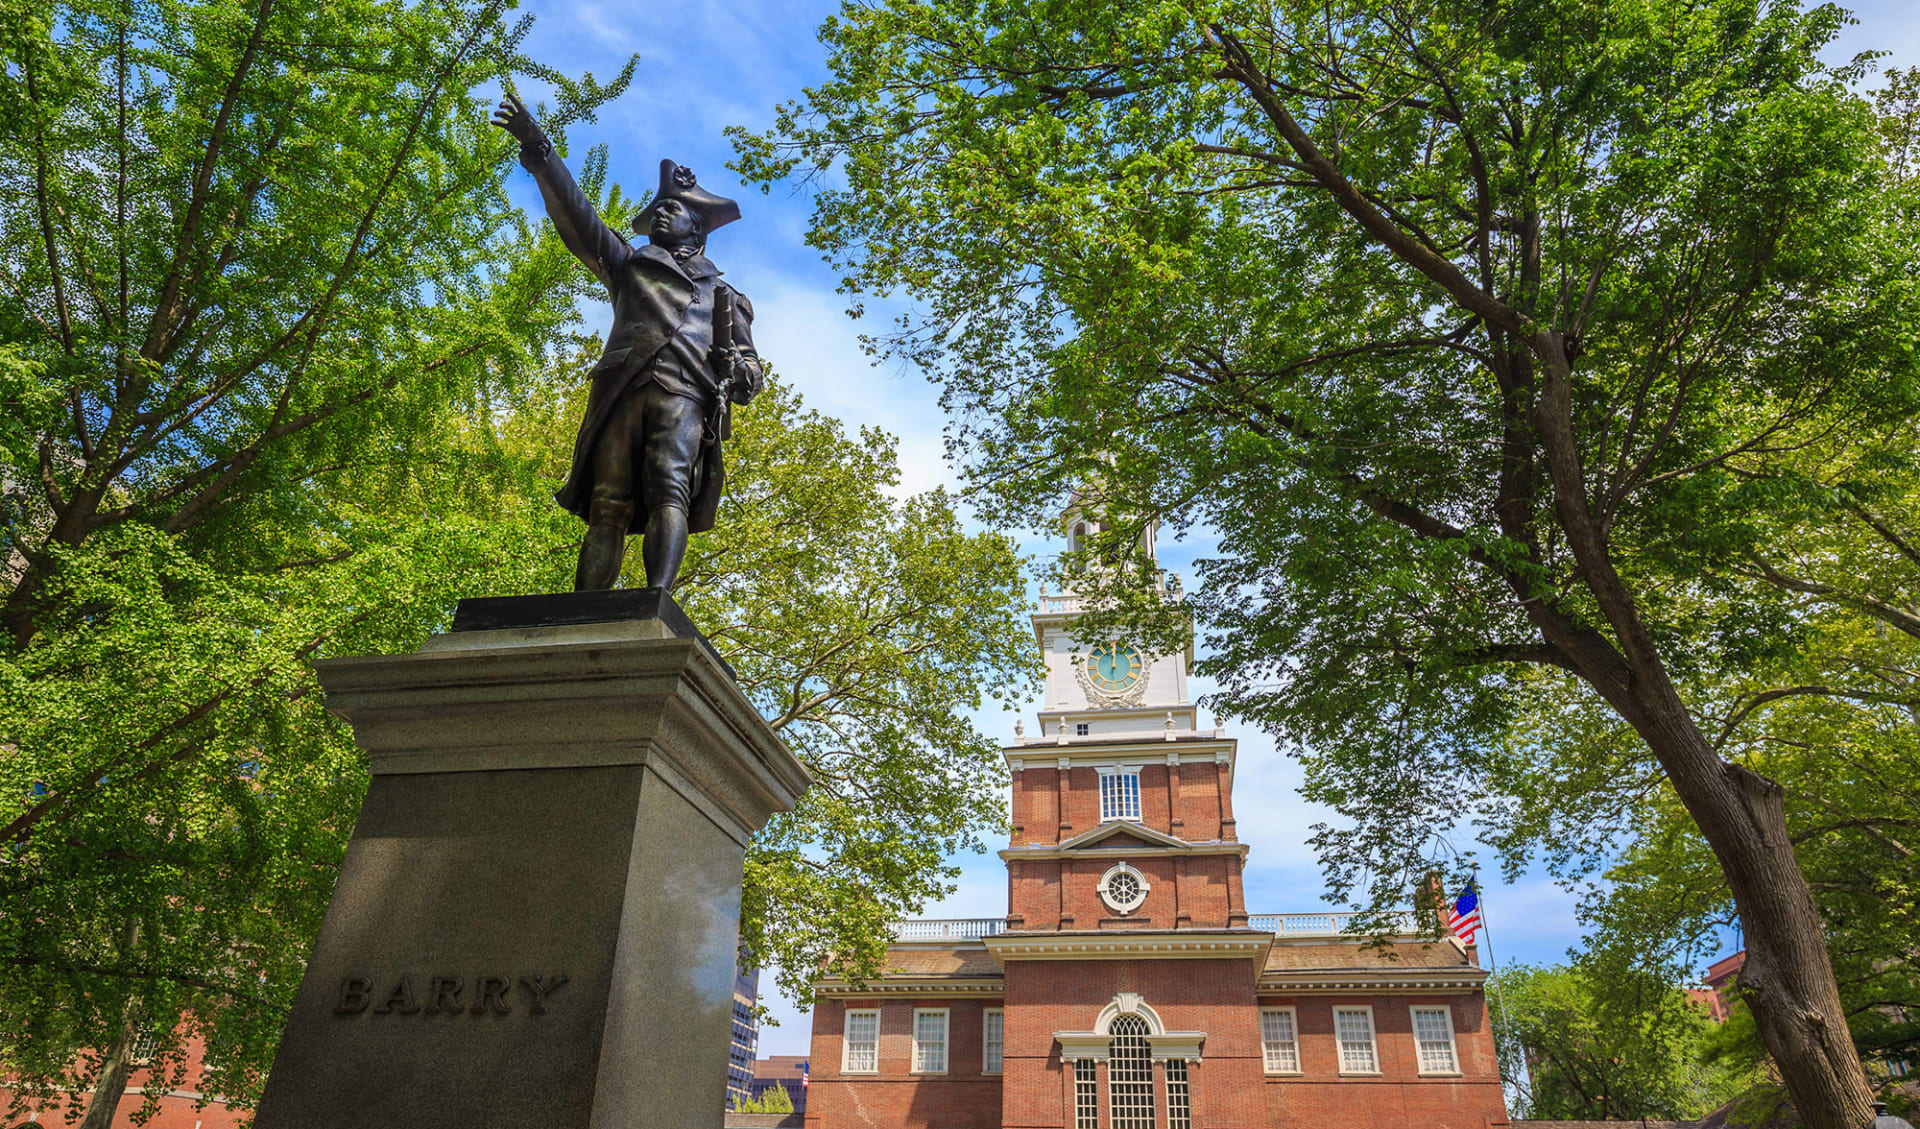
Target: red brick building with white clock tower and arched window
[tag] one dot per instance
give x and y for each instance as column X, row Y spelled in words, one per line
column 1128, row 986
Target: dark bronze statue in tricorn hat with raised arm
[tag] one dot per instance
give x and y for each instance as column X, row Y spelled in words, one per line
column 681, row 354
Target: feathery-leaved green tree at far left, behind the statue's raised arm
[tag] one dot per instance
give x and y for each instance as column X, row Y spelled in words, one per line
column 260, row 266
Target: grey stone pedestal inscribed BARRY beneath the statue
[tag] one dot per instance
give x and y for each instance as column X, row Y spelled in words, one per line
column 539, row 913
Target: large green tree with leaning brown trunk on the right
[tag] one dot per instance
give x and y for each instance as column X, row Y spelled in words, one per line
column 1483, row 335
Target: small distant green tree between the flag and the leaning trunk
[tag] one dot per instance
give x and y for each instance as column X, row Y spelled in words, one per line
column 1608, row 1045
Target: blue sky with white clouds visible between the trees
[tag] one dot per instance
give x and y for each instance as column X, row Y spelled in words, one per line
column 729, row 62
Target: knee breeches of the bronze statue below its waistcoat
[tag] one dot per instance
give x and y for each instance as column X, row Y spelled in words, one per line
column 648, row 450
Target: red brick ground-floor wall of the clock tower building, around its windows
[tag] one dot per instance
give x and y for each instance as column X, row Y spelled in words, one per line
column 1230, row 1088
